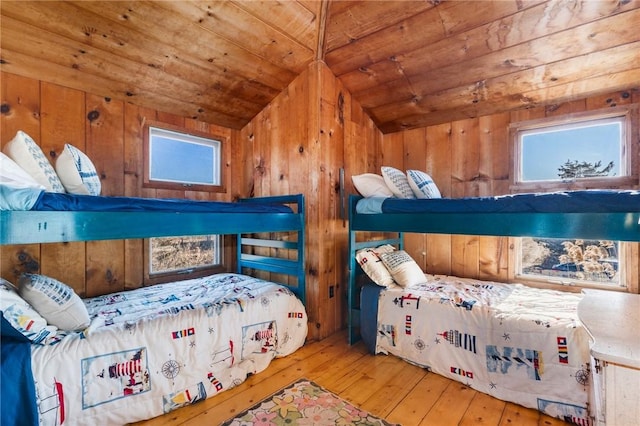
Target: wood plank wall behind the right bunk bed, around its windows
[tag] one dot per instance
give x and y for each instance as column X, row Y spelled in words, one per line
column 471, row 158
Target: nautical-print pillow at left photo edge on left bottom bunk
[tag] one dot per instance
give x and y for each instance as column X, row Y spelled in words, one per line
column 22, row 316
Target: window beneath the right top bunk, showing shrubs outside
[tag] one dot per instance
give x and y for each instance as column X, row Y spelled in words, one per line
column 584, row 263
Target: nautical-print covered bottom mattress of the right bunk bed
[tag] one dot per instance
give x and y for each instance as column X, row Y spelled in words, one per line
column 513, row 342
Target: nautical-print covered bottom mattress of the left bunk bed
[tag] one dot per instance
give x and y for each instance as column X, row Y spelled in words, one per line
column 155, row 349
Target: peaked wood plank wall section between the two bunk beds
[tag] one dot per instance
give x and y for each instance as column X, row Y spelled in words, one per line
column 298, row 145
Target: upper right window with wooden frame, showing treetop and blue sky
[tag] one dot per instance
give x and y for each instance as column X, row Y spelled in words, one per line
column 587, row 150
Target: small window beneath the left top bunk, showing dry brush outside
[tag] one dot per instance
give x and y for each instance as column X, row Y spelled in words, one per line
column 195, row 255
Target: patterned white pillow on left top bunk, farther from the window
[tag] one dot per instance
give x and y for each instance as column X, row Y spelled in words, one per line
column 28, row 155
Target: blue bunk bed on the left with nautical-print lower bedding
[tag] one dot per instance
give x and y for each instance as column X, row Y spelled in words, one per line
column 151, row 350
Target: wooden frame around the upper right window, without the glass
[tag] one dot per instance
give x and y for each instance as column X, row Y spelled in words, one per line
column 628, row 152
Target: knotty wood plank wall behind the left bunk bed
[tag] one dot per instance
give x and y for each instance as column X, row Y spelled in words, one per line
column 112, row 137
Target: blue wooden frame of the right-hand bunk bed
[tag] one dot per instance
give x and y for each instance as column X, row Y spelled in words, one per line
column 610, row 226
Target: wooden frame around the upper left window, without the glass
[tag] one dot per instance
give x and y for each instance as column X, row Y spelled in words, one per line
column 147, row 182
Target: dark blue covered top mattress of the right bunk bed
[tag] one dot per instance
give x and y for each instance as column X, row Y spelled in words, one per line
column 587, row 201
